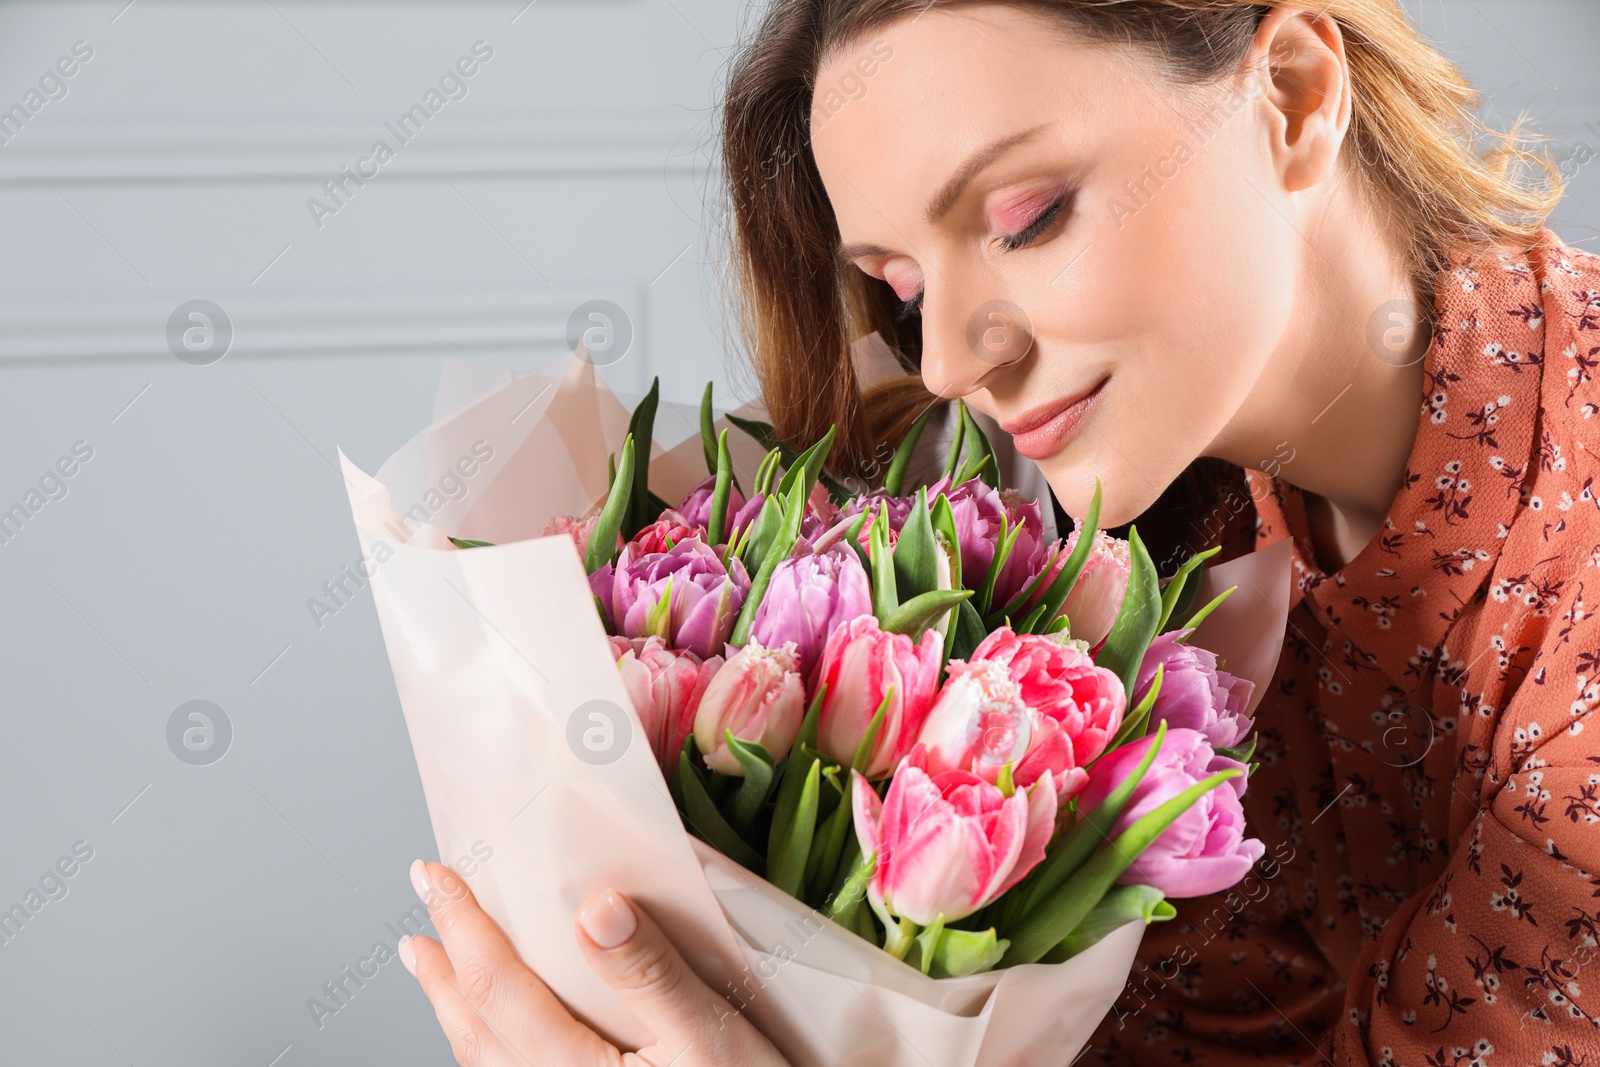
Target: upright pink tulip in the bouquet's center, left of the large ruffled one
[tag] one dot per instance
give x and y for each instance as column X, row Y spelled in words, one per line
column 862, row 665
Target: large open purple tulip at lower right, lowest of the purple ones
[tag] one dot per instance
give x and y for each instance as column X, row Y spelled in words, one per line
column 1206, row 850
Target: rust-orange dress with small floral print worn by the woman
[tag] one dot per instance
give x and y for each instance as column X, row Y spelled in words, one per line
column 1430, row 783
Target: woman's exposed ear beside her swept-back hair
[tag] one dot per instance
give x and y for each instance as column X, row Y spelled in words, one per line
column 1302, row 60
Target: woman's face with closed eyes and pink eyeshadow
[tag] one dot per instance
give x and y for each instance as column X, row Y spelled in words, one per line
column 1100, row 255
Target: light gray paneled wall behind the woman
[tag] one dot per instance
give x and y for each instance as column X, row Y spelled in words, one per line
column 178, row 565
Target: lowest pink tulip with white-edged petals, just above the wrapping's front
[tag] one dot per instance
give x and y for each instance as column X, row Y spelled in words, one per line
column 948, row 844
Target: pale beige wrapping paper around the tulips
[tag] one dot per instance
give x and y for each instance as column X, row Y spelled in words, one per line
column 500, row 661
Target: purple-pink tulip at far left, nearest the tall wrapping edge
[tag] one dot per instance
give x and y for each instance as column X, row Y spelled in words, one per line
column 705, row 596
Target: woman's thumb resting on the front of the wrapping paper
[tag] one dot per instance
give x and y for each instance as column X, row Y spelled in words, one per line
column 631, row 954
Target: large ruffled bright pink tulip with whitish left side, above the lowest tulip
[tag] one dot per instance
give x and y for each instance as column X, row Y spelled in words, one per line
column 1026, row 700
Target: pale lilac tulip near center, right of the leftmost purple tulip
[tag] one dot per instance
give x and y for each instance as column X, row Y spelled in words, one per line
column 810, row 596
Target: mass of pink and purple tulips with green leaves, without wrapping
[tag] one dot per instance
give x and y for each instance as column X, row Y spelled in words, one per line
column 967, row 745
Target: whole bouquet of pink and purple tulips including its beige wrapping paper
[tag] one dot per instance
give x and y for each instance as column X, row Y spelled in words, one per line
column 898, row 770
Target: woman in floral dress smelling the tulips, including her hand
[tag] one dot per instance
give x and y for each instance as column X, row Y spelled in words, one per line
column 1241, row 263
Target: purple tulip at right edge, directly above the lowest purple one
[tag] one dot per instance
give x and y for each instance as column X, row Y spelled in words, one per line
column 1194, row 693
